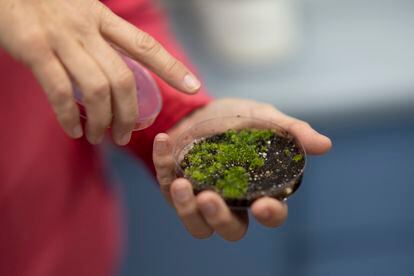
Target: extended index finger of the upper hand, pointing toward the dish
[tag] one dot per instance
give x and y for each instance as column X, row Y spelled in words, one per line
column 144, row 48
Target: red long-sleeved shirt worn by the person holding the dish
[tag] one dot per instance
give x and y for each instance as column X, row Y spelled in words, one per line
column 58, row 215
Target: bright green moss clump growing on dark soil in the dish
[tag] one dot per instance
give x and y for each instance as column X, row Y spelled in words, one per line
column 226, row 161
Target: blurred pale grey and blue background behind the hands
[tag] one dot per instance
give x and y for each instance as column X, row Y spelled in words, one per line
column 347, row 67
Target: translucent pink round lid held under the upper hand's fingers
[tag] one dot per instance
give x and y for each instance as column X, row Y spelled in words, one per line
column 148, row 95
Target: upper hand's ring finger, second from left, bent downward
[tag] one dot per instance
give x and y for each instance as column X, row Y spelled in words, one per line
column 94, row 87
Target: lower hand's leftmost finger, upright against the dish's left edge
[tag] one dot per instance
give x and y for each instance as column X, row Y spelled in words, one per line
column 164, row 163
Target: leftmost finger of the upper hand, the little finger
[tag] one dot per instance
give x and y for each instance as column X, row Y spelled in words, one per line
column 53, row 78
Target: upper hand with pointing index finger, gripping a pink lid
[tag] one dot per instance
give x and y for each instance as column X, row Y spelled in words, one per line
column 63, row 41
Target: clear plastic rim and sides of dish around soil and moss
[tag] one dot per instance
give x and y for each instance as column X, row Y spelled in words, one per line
column 215, row 126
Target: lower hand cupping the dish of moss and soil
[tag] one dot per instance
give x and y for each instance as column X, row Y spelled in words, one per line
column 206, row 213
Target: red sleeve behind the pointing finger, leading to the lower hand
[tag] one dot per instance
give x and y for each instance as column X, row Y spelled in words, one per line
column 176, row 105
